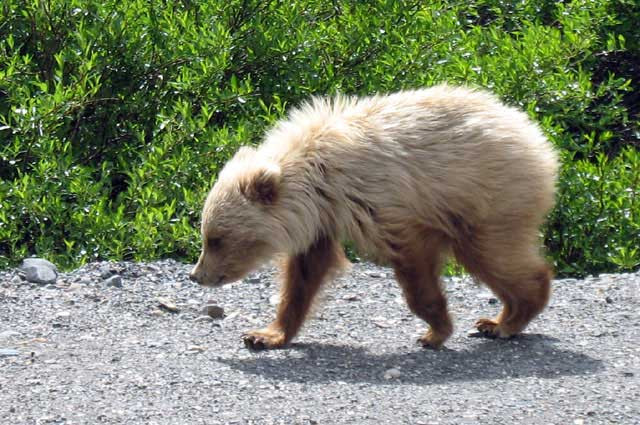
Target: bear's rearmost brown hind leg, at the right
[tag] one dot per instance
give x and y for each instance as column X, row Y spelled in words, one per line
column 510, row 264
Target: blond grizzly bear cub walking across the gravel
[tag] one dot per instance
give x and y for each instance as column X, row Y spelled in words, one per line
column 409, row 178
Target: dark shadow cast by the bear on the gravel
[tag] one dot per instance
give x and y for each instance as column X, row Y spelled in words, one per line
column 528, row 355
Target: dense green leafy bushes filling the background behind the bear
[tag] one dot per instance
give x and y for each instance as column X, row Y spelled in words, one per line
column 116, row 116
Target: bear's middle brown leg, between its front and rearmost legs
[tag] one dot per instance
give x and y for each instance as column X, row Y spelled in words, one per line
column 418, row 273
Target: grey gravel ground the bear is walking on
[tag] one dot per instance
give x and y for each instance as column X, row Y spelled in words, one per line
column 95, row 349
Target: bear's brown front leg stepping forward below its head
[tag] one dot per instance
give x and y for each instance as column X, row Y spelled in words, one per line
column 303, row 275
